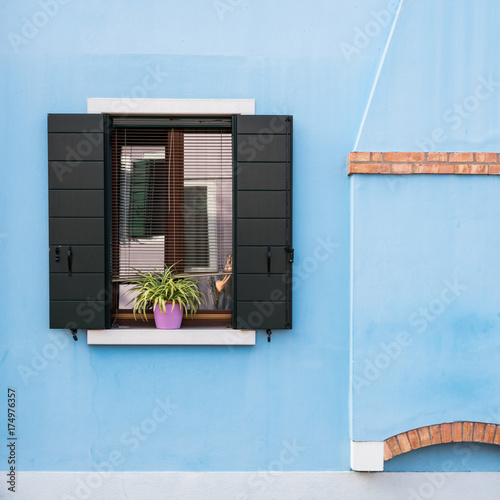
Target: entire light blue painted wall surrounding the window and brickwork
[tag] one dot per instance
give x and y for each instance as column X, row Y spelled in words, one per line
column 215, row 409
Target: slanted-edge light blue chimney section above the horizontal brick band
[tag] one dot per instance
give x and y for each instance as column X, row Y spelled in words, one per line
column 439, row 87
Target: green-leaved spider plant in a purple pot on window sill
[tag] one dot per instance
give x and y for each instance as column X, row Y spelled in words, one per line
column 169, row 295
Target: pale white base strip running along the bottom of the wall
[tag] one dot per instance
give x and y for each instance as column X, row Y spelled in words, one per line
column 253, row 485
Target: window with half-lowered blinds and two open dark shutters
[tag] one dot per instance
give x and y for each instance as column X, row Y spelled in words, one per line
column 92, row 204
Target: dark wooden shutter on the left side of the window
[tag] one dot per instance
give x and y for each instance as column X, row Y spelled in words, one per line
column 77, row 226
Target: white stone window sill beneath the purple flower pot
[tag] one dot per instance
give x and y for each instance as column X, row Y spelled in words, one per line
column 183, row 336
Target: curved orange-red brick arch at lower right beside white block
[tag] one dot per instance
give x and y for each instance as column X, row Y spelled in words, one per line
column 452, row 432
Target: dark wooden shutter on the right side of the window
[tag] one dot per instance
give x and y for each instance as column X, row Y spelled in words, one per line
column 262, row 222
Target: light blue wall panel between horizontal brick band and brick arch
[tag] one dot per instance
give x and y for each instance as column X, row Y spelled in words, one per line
column 426, row 313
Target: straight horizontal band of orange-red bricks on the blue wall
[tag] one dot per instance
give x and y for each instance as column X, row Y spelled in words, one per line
column 424, row 163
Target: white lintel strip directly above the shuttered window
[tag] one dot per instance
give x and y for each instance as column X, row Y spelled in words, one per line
column 186, row 107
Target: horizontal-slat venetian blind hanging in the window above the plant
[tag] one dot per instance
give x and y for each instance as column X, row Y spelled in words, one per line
column 171, row 195
